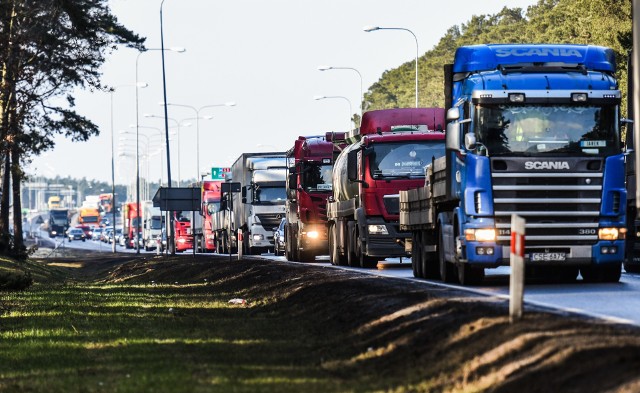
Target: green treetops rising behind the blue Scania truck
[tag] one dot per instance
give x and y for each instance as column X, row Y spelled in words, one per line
column 595, row 22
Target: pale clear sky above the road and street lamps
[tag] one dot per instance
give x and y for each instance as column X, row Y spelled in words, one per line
column 261, row 55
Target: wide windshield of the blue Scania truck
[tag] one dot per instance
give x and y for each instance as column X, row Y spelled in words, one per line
column 543, row 130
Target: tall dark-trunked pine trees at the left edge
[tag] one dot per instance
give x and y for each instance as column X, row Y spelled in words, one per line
column 47, row 48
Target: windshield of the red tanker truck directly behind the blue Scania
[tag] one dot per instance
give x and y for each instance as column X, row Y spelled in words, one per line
column 403, row 159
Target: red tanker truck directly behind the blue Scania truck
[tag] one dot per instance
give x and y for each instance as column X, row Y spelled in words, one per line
column 386, row 155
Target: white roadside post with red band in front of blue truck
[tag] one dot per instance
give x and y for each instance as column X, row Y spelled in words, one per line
column 516, row 280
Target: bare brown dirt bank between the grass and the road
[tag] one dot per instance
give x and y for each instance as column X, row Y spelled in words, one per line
column 403, row 336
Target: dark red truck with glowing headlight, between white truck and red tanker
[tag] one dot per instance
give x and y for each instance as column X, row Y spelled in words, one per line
column 308, row 189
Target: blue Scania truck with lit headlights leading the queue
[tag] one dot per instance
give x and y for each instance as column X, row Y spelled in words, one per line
column 533, row 130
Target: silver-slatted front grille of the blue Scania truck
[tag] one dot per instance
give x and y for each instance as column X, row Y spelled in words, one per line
column 558, row 206
